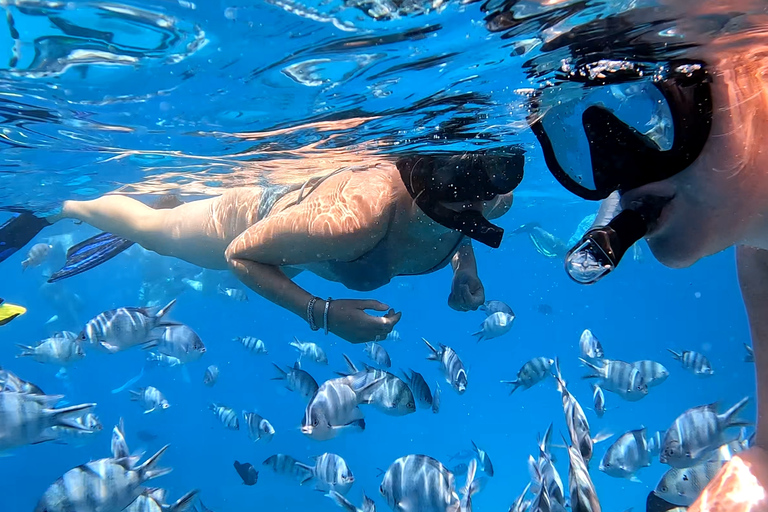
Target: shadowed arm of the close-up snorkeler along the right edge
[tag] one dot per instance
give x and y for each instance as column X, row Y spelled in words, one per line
column 753, row 278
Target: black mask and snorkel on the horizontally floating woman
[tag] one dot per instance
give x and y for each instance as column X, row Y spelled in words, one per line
column 435, row 179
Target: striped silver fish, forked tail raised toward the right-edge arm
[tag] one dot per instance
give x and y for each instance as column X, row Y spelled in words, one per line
column 697, row 433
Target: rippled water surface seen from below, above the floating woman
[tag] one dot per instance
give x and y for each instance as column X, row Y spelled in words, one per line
column 192, row 97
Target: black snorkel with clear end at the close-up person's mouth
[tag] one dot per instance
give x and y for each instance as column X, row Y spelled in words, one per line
column 600, row 250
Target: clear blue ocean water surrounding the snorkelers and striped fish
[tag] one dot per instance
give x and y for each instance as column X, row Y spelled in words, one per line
column 172, row 97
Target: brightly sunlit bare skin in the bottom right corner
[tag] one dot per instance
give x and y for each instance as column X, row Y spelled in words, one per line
column 739, row 486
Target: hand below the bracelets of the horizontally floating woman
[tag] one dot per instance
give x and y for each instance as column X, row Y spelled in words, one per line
column 347, row 319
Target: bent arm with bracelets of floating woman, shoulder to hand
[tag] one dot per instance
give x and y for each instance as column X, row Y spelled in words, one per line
column 341, row 224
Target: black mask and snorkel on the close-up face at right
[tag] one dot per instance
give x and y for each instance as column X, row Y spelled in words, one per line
column 623, row 158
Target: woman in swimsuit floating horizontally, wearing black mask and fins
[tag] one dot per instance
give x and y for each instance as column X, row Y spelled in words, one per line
column 358, row 226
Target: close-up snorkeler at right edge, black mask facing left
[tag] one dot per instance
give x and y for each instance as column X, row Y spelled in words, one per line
column 703, row 193
